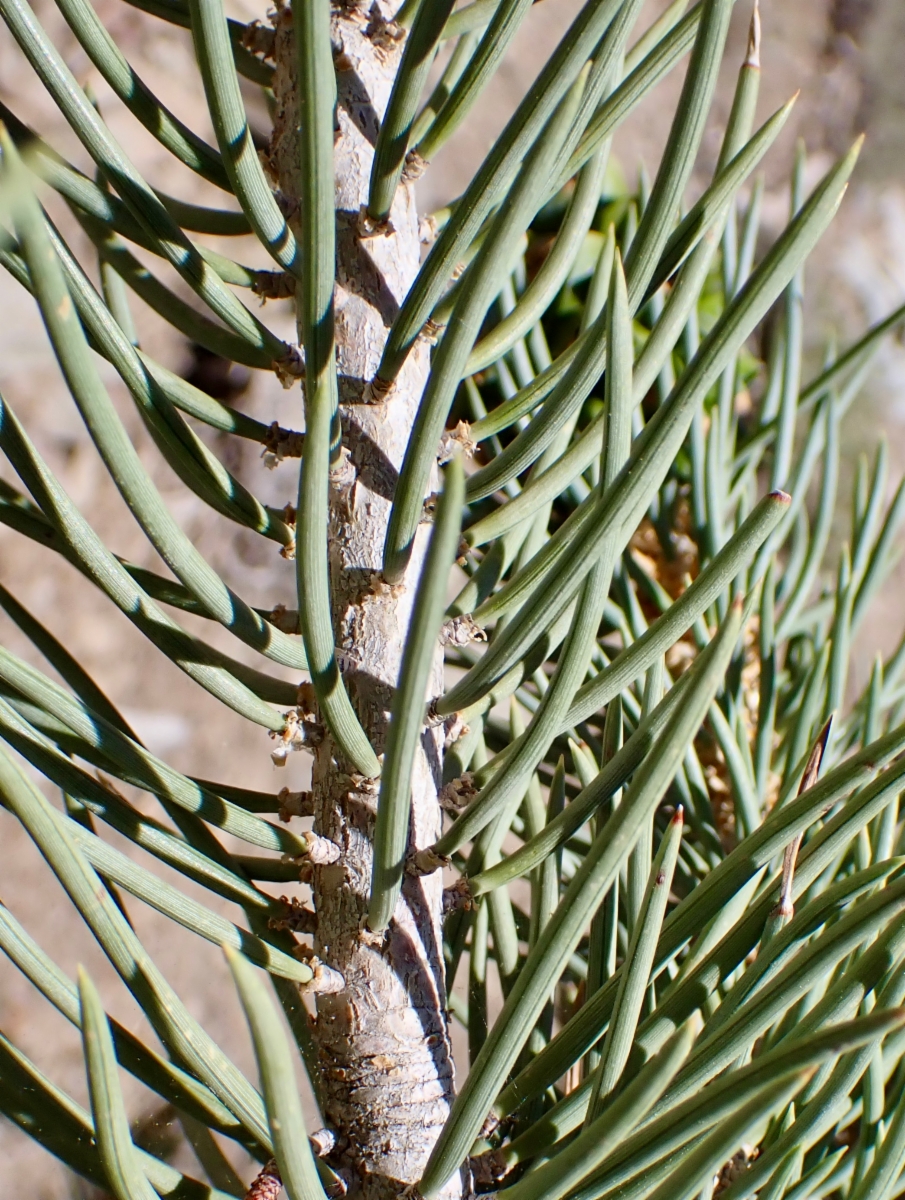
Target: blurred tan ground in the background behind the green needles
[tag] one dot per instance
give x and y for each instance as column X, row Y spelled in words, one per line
column 846, row 58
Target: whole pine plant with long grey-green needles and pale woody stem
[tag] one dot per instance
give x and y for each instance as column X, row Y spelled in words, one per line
column 680, row 855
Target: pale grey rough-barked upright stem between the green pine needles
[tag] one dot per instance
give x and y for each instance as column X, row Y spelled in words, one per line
column 383, row 1041
